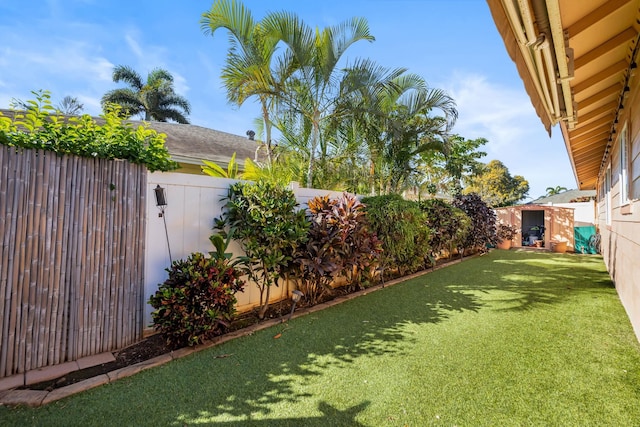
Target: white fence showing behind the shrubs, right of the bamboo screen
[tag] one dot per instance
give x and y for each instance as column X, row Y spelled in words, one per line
column 193, row 201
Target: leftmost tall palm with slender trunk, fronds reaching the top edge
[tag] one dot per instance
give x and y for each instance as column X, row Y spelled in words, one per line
column 248, row 69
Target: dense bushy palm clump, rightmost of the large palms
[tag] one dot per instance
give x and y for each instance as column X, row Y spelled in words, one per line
column 391, row 109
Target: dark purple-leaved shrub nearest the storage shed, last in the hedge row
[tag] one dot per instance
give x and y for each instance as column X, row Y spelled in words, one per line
column 483, row 221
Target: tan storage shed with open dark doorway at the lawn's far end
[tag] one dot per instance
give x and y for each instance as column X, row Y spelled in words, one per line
column 549, row 227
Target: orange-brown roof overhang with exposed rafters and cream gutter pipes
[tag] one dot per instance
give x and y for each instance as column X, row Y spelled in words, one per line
column 575, row 59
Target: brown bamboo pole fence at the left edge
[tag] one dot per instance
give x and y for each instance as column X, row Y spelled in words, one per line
column 72, row 234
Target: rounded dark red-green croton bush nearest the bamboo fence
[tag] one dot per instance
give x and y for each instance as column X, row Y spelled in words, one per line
column 197, row 300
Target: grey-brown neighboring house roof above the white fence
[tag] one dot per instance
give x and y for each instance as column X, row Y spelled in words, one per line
column 190, row 144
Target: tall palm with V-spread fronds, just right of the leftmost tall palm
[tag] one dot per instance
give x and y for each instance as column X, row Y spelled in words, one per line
column 313, row 89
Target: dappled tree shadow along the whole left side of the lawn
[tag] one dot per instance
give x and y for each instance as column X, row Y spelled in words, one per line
column 266, row 373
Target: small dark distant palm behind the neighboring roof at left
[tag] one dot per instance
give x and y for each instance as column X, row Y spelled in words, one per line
column 155, row 99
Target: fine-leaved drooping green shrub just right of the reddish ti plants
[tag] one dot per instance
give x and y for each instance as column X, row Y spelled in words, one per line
column 402, row 227
